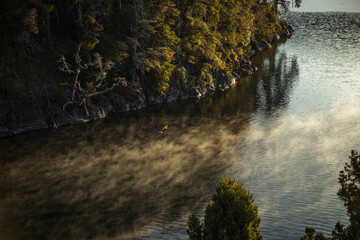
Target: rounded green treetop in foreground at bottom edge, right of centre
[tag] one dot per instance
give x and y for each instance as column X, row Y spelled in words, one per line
column 231, row 214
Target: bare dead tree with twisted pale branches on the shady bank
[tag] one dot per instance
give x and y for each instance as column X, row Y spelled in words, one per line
column 79, row 95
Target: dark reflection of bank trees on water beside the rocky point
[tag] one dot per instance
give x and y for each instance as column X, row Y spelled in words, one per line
column 268, row 89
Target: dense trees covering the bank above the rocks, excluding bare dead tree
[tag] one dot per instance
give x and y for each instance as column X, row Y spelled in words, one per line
column 152, row 44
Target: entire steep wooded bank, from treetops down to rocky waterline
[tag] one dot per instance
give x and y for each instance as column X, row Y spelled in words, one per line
column 164, row 51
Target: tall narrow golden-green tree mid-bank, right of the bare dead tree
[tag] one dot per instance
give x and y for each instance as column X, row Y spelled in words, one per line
column 159, row 43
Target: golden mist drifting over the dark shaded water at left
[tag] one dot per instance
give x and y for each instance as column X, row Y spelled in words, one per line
column 108, row 179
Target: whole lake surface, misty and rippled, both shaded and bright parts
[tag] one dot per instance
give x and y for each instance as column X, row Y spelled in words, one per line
column 286, row 132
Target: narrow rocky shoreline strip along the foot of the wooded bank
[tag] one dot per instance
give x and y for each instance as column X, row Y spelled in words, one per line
column 39, row 119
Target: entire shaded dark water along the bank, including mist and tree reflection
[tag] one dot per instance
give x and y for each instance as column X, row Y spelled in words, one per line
column 119, row 177
